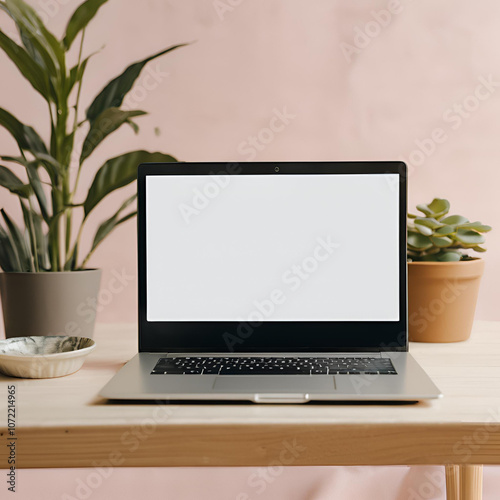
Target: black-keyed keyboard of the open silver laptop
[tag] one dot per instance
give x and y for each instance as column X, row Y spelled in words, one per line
column 183, row 365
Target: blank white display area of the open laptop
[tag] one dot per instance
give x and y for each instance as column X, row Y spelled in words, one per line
column 272, row 247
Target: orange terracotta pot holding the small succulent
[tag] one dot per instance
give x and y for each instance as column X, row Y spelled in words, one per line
column 442, row 299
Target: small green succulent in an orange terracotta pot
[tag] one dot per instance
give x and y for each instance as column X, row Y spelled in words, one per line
column 443, row 278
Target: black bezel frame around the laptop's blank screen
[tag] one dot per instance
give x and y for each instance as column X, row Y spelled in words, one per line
column 272, row 336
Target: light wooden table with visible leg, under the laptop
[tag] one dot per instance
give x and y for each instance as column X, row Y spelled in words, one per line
column 63, row 423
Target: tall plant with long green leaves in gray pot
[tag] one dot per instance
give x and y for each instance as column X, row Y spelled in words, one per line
column 45, row 280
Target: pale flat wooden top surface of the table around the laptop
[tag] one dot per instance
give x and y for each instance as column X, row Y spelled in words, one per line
column 468, row 374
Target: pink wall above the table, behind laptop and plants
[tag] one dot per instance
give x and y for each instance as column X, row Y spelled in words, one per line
column 376, row 103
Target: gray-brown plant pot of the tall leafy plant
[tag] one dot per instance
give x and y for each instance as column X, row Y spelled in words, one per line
column 62, row 303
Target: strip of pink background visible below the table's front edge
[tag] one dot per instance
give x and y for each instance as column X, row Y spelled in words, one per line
column 244, row 483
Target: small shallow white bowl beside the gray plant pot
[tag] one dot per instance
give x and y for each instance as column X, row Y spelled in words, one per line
column 44, row 356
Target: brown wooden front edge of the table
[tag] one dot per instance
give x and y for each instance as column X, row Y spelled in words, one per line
column 247, row 445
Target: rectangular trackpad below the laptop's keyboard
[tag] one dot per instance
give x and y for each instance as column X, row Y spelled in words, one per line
column 274, row 384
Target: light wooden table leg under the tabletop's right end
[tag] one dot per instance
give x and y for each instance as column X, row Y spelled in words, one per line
column 464, row 482
